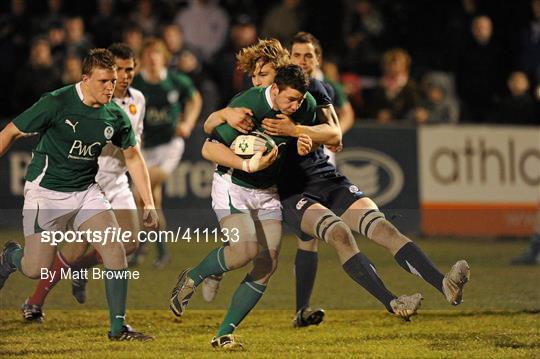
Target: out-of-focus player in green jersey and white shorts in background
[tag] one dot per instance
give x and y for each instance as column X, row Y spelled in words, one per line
column 173, row 106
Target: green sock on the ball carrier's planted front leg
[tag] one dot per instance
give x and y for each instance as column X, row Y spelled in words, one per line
column 244, row 299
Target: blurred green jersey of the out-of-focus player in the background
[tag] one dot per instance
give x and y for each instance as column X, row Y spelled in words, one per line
column 164, row 104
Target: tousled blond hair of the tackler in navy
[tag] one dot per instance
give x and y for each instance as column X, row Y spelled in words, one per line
column 269, row 51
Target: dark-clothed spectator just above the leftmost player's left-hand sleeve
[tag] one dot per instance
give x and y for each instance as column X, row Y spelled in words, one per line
column 37, row 77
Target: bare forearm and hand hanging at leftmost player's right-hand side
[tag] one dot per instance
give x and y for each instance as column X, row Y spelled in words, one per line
column 139, row 174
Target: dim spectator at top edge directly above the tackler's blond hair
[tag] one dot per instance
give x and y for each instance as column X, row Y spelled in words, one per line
column 283, row 21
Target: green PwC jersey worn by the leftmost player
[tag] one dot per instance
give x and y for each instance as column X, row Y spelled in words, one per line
column 72, row 135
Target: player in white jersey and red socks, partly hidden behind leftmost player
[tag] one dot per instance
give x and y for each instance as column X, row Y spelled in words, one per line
column 112, row 179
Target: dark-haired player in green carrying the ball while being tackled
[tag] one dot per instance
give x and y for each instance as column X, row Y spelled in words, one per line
column 245, row 199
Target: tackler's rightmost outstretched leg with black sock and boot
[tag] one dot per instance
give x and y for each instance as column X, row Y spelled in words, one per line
column 364, row 217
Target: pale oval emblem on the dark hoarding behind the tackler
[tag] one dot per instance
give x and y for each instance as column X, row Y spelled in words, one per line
column 372, row 172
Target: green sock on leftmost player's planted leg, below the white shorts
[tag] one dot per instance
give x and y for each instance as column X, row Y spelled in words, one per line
column 116, row 290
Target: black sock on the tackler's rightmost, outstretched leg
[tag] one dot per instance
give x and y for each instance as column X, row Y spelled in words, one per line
column 414, row 261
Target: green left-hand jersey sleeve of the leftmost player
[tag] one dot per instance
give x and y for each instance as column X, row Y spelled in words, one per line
column 38, row 117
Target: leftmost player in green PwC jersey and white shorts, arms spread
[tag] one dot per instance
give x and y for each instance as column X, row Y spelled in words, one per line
column 74, row 124
